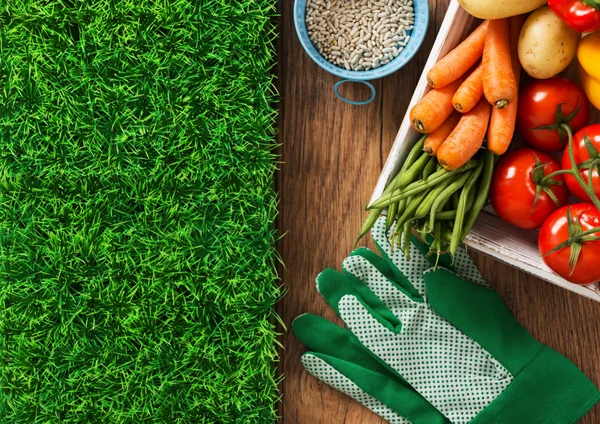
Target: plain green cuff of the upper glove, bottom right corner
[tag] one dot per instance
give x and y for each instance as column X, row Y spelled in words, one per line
column 550, row 389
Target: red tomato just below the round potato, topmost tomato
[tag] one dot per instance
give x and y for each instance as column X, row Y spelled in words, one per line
column 539, row 107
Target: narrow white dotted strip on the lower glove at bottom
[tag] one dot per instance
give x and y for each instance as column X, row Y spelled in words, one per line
column 329, row 375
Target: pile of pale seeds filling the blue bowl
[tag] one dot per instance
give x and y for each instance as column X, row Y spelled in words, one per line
column 359, row 34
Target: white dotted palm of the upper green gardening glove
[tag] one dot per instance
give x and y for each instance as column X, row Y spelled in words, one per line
column 453, row 372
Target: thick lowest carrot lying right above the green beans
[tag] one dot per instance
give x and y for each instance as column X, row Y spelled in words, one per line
column 467, row 137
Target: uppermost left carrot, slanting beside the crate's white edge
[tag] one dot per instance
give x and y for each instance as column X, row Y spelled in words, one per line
column 460, row 60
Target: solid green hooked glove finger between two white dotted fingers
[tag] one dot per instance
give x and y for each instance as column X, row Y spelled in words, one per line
column 333, row 286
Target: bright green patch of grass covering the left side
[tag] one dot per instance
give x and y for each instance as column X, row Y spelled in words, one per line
column 137, row 255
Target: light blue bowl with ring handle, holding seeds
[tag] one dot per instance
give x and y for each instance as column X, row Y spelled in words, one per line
column 417, row 34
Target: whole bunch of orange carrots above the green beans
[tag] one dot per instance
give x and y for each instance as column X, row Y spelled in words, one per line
column 474, row 93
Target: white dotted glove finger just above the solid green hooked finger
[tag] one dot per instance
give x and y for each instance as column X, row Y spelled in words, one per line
column 393, row 295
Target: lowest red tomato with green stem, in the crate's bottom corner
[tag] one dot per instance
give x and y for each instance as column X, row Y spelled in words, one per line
column 555, row 231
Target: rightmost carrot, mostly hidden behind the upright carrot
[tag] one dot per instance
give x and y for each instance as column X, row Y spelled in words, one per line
column 502, row 122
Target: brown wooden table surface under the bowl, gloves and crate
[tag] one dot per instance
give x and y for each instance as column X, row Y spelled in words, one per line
column 333, row 154
